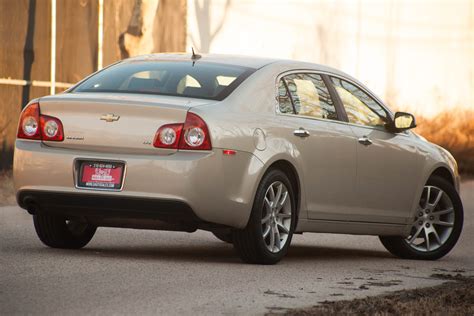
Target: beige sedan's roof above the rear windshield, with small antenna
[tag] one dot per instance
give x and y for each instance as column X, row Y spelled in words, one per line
column 237, row 60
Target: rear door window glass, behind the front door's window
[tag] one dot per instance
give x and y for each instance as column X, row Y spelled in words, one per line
column 308, row 94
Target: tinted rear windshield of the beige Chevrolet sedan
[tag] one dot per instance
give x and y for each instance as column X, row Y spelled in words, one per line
column 175, row 78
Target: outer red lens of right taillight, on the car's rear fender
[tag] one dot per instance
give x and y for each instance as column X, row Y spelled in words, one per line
column 195, row 135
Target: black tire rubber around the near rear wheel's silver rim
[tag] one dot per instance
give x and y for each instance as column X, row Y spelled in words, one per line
column 249, row 242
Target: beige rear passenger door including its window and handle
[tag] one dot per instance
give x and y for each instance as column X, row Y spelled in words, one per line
column 325, row 146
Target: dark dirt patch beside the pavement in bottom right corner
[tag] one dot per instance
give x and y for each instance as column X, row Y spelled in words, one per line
column 455, row 297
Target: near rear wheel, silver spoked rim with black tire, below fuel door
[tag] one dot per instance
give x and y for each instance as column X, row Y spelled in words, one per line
column 268, row 234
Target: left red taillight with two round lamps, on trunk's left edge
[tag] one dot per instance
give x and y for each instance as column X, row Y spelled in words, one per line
column 33, row 125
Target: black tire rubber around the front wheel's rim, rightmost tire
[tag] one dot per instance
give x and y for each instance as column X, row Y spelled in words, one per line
column 399, row 247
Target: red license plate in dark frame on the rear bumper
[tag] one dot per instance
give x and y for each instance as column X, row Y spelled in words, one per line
column 101, row 175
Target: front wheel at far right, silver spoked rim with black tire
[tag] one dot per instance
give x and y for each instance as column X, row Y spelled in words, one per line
column 436, row 227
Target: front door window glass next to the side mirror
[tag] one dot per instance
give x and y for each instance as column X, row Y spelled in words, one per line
column 361, row 109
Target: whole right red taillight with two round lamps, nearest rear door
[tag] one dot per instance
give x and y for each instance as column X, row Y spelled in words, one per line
column 192, row 135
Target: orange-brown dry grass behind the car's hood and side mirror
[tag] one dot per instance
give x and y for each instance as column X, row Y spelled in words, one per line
column 453, row 131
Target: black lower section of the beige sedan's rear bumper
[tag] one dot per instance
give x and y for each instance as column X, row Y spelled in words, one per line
column 105, row 210
